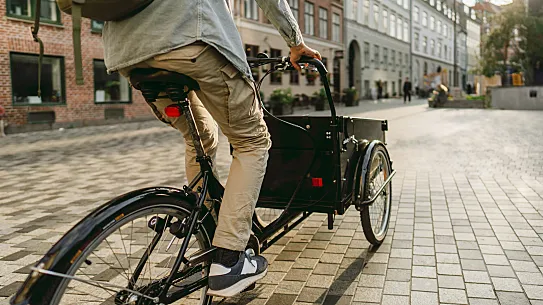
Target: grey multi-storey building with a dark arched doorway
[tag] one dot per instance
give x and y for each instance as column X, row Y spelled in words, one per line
column 377, row 37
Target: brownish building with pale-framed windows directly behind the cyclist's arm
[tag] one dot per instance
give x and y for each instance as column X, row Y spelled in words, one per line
column 321, row 22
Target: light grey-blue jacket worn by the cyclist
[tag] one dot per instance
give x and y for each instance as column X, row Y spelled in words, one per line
column 169, row 24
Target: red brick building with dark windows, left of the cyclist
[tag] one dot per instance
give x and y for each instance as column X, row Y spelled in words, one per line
column 102, row 98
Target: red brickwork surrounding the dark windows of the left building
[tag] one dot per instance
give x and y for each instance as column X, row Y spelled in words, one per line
column 15, row 36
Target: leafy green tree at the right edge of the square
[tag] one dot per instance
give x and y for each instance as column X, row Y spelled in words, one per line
column 513, row 44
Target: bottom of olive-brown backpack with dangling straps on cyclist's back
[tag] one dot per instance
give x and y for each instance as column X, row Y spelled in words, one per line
column 101, row 10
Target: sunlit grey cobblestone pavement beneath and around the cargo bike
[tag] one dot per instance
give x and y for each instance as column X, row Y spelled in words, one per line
column 467, row 223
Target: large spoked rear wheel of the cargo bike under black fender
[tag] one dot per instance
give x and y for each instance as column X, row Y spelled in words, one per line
column 115, row 255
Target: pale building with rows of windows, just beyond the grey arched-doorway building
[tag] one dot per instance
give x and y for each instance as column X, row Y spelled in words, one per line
column 433, row 39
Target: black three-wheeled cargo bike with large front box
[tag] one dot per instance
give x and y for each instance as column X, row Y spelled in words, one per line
column 153, row 245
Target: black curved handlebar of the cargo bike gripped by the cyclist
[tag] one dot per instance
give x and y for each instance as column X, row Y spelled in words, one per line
column 287, row 65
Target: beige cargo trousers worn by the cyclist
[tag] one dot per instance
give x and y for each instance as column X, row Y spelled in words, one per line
column 226, row 99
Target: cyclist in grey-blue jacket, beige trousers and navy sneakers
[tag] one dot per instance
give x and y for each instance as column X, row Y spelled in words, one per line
column 199, row 38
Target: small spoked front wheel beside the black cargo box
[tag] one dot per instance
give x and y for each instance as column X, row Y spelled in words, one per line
column 376, row 217
